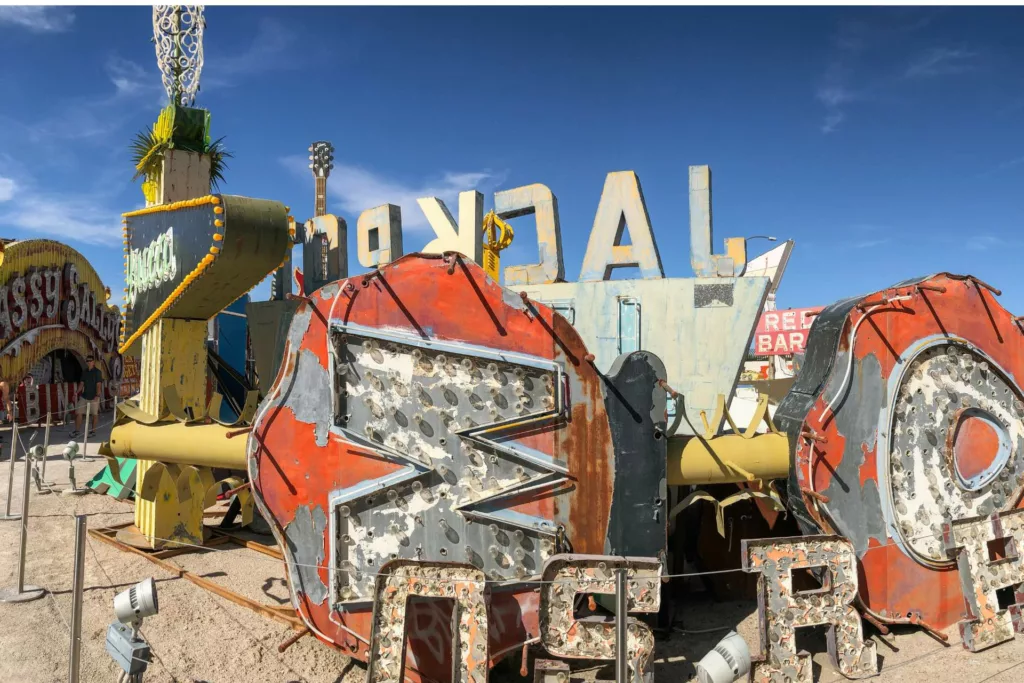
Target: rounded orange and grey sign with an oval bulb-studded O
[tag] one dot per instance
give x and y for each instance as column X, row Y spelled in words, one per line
column 889, row 381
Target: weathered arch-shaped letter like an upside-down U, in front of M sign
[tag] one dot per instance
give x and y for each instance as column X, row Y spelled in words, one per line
column 401, row 580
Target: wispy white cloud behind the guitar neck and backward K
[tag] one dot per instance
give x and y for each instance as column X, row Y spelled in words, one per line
column 357, row 190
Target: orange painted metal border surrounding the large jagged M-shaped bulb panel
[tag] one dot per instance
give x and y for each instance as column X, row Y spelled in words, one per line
column 446, row 301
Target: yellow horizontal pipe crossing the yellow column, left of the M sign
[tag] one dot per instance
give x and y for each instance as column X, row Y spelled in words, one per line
column 205, row 446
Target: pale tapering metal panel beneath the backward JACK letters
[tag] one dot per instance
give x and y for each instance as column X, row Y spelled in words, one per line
column 698, row 333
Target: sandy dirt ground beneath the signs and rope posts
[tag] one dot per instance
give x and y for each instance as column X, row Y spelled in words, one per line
column 199, row 637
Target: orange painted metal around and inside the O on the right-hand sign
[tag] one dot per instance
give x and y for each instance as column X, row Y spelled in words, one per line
column 893, row 584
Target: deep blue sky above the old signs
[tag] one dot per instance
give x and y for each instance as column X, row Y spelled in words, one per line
column 887, row 143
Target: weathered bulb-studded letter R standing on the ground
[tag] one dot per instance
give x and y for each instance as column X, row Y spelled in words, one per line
column 783, row 611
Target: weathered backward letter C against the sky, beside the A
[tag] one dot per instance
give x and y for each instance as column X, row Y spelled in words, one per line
column 537, row 200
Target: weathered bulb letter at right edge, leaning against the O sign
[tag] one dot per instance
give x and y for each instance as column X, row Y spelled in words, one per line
column 982, row 576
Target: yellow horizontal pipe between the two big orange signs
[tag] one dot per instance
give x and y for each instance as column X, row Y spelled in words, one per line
column 729, row 459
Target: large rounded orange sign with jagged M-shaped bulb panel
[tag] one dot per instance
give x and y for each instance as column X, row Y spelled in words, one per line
column 533, row 471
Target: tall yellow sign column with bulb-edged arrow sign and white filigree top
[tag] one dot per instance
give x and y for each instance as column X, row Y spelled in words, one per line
column 188, row 255
